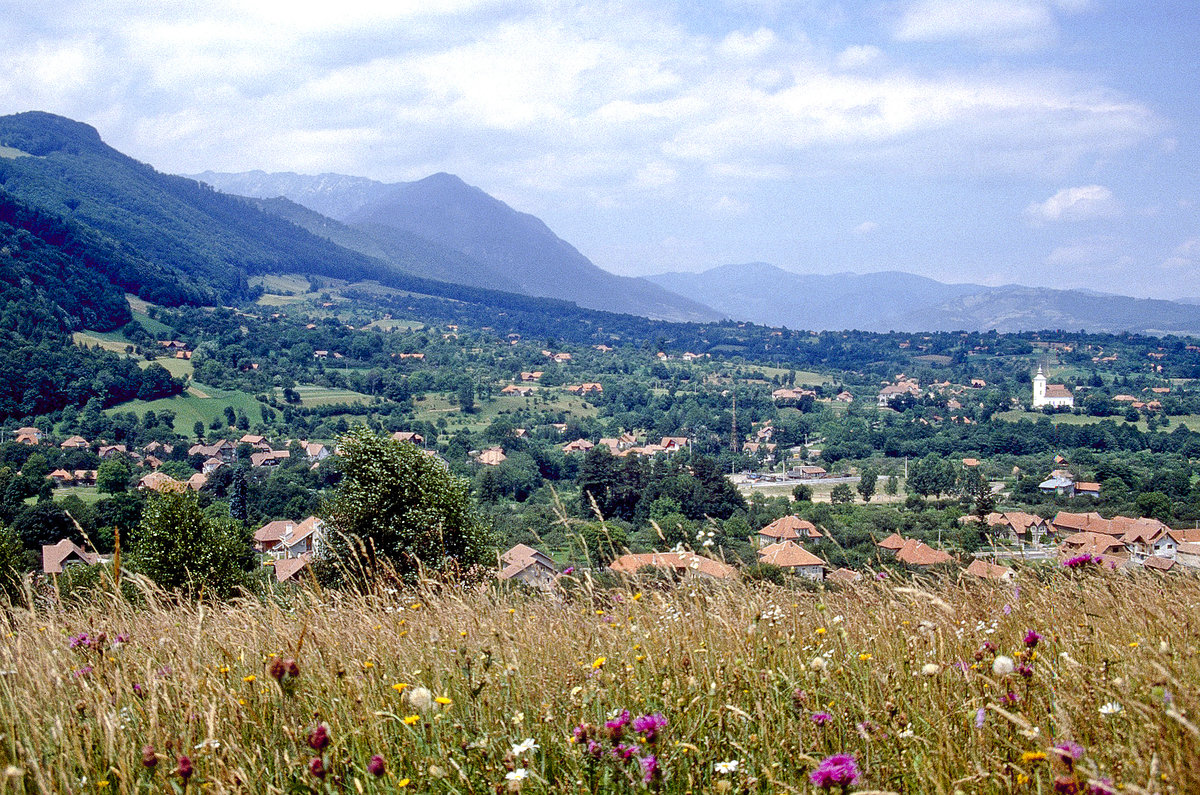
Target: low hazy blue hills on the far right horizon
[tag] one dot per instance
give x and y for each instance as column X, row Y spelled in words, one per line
column 901, row 302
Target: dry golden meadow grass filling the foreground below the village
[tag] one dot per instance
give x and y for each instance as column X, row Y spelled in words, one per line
column 730, row 667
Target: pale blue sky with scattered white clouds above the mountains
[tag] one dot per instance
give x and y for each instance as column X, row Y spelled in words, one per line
column 1040, row 142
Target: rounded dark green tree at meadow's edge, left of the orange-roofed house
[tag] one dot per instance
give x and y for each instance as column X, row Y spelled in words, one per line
column 182, row 549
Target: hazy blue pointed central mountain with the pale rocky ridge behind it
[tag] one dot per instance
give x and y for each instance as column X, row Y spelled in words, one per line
column 442, row 229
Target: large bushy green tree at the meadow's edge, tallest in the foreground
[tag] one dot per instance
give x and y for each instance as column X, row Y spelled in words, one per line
column 406, row 507
